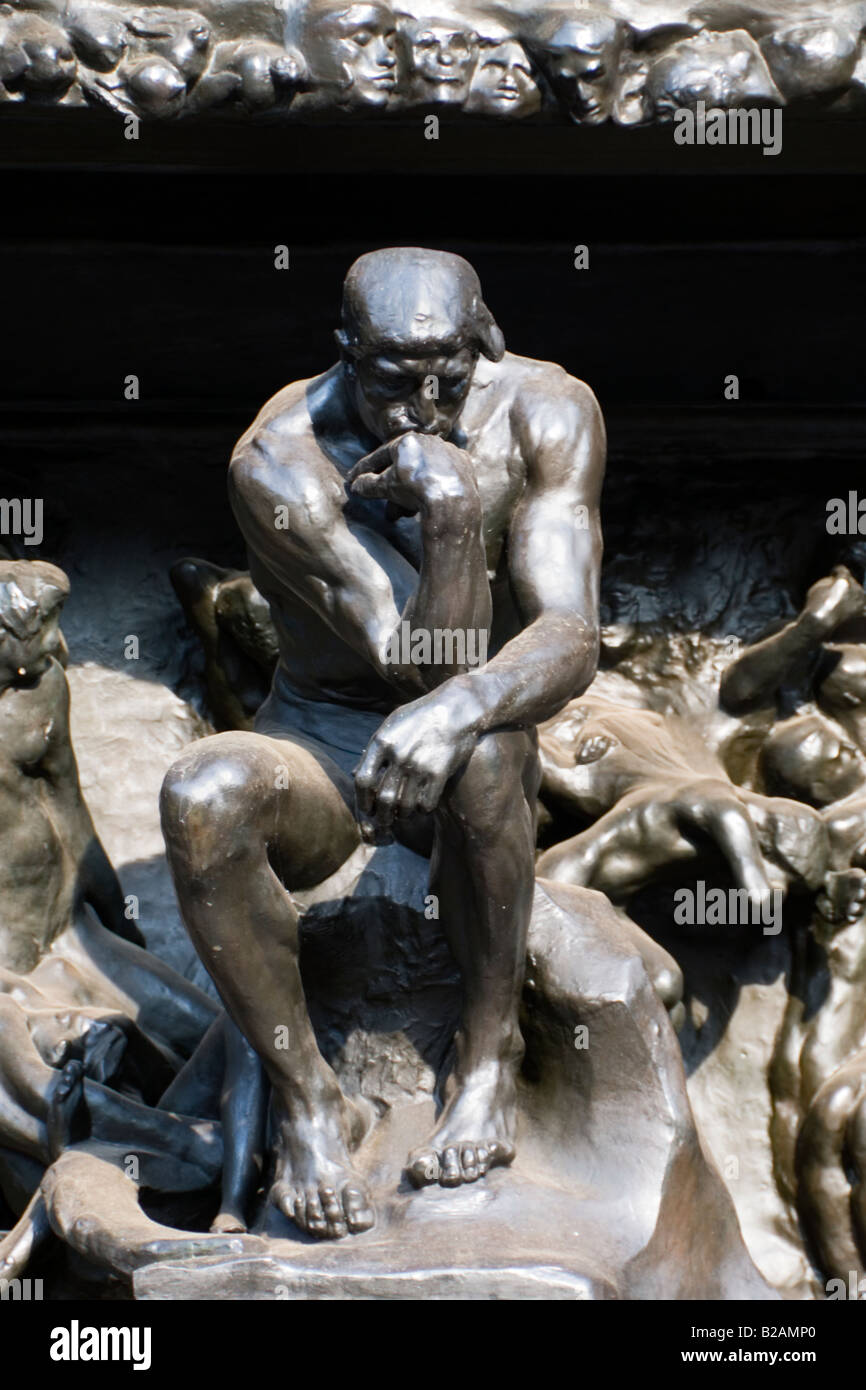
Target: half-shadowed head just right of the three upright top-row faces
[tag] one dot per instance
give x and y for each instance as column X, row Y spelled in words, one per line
column 582, row 62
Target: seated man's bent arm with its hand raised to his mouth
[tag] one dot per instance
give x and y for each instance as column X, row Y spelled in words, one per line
column 294, row 523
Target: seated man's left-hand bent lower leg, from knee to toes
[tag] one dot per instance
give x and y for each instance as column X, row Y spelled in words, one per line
column 224, row 828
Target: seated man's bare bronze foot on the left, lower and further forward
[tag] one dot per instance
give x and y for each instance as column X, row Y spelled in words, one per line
column 316, row 1185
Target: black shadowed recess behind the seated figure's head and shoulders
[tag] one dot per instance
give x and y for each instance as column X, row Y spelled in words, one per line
column 170, row 276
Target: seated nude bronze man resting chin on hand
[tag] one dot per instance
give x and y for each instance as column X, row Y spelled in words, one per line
column 429, row 483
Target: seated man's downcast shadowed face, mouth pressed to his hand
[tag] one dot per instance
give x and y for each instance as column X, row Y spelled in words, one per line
column 397, row 393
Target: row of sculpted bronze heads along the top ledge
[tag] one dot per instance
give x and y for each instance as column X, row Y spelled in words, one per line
column 580, row 59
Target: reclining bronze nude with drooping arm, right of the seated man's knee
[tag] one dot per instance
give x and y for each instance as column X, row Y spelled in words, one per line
column 661, row 797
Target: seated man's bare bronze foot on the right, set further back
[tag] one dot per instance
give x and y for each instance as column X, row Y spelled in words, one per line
column 476, row 1132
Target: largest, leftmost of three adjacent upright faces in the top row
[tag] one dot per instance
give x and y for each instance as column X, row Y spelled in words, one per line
column 357, row 48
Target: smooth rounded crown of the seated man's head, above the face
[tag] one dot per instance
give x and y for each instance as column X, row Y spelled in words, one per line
column 416, row 302
